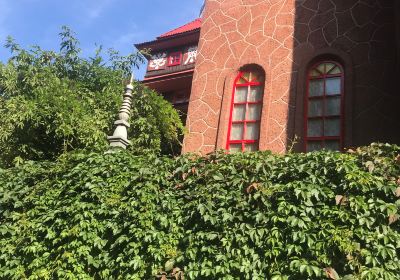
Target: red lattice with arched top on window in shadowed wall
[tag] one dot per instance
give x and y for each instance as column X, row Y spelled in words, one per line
column 315, row 74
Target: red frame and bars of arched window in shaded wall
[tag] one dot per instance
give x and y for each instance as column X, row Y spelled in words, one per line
column 324, row 76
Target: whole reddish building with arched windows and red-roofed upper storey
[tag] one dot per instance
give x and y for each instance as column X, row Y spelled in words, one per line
column 276, row 74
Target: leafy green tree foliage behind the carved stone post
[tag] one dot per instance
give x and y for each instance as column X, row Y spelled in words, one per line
column 53, row 102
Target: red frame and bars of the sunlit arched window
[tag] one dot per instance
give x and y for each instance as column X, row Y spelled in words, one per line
column 249, row 84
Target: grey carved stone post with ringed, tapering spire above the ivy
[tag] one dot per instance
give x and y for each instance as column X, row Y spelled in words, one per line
column 120, row 136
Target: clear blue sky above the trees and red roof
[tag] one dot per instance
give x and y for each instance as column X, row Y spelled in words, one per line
column 114, row 24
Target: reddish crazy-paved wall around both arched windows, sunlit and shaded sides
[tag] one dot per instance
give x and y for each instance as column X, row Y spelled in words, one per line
column 284, row 37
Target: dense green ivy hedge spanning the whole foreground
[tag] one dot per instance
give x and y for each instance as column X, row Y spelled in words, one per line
column 244, row 216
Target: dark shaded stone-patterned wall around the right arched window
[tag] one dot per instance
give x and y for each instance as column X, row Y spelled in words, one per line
column 361, row 35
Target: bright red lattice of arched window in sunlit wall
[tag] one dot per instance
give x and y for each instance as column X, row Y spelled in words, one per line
column 250, row 81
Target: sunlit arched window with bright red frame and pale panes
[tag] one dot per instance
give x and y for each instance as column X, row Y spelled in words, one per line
column 245, row 114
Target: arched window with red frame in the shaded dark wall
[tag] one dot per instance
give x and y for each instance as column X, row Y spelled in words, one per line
column 323, row 120
